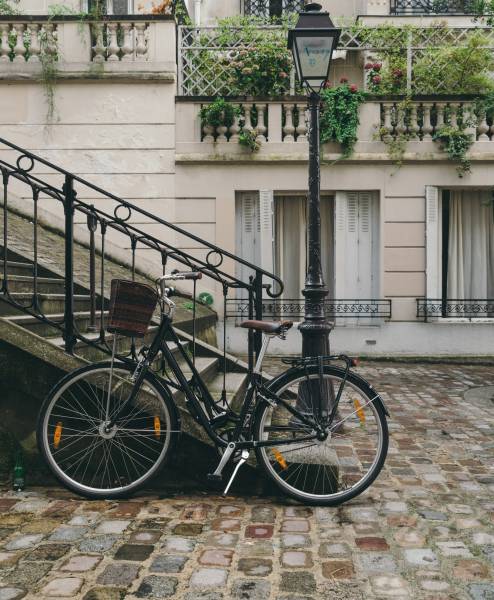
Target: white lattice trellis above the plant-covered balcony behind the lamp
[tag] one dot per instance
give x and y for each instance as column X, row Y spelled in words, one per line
column 205, row 52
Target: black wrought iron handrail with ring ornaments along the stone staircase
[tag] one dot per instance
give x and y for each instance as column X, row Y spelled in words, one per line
column 103, row 221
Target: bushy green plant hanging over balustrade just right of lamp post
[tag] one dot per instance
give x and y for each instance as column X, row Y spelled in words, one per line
column 340, row 116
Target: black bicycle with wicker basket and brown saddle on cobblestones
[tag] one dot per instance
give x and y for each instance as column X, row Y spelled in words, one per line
column 319, row 431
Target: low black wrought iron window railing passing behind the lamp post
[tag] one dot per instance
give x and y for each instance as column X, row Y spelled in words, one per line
column 279, row 308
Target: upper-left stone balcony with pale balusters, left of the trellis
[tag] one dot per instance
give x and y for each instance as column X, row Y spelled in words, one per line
column 137, row 46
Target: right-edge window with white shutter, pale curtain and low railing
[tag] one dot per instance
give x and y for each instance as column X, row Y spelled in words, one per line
column 460, row 252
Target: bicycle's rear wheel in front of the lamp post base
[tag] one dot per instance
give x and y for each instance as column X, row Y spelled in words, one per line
column 322, row 471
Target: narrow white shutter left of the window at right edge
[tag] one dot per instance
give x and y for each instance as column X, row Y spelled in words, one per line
column 432, row 243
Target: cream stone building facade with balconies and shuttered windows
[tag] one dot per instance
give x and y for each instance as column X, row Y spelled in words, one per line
column 408, row 249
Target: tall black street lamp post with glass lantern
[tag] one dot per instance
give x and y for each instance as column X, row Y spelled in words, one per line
column 312, row 43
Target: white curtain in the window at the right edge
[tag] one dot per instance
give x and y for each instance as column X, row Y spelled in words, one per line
column 471, row 245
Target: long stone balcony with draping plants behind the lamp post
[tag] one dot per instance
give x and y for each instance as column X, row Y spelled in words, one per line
column 281, row 130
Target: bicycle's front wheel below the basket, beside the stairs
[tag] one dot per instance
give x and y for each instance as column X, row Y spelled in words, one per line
column 86, row 457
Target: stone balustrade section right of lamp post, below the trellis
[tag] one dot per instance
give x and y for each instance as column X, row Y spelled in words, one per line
column 420, row 120
